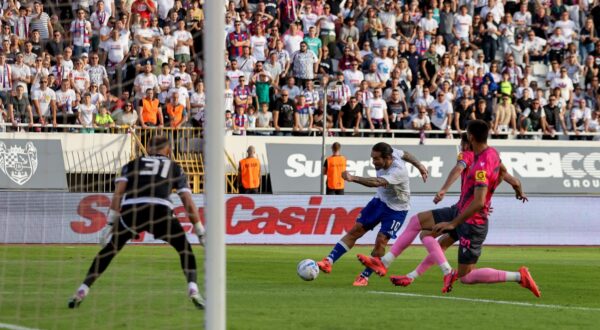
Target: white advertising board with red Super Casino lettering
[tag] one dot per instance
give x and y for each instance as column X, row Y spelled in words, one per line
column 44, row 217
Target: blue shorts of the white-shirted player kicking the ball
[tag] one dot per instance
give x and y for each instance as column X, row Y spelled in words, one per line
column 377, row 212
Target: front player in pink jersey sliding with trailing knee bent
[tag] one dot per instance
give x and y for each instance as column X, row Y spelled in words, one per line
column 470, row 224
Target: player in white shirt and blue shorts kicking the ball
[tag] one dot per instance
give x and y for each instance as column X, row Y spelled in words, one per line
column 389, row 206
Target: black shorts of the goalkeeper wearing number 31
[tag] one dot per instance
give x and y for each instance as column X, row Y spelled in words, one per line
column 154, row 218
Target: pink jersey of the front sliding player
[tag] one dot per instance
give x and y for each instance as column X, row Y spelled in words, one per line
column 484, row 172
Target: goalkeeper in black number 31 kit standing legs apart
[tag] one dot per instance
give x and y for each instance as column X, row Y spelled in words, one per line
column 141, row 203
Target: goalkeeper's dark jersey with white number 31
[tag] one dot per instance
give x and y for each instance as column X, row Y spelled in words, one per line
column 151, row 179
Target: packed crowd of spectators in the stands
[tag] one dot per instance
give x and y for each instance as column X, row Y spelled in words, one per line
column 522, row 66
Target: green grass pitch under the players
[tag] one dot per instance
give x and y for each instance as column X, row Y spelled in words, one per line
column 145, row 289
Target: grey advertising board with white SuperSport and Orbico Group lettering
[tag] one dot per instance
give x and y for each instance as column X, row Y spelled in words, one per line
column 542, row 170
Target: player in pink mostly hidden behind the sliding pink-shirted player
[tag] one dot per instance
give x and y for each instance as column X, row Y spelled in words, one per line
column 464, row 161
